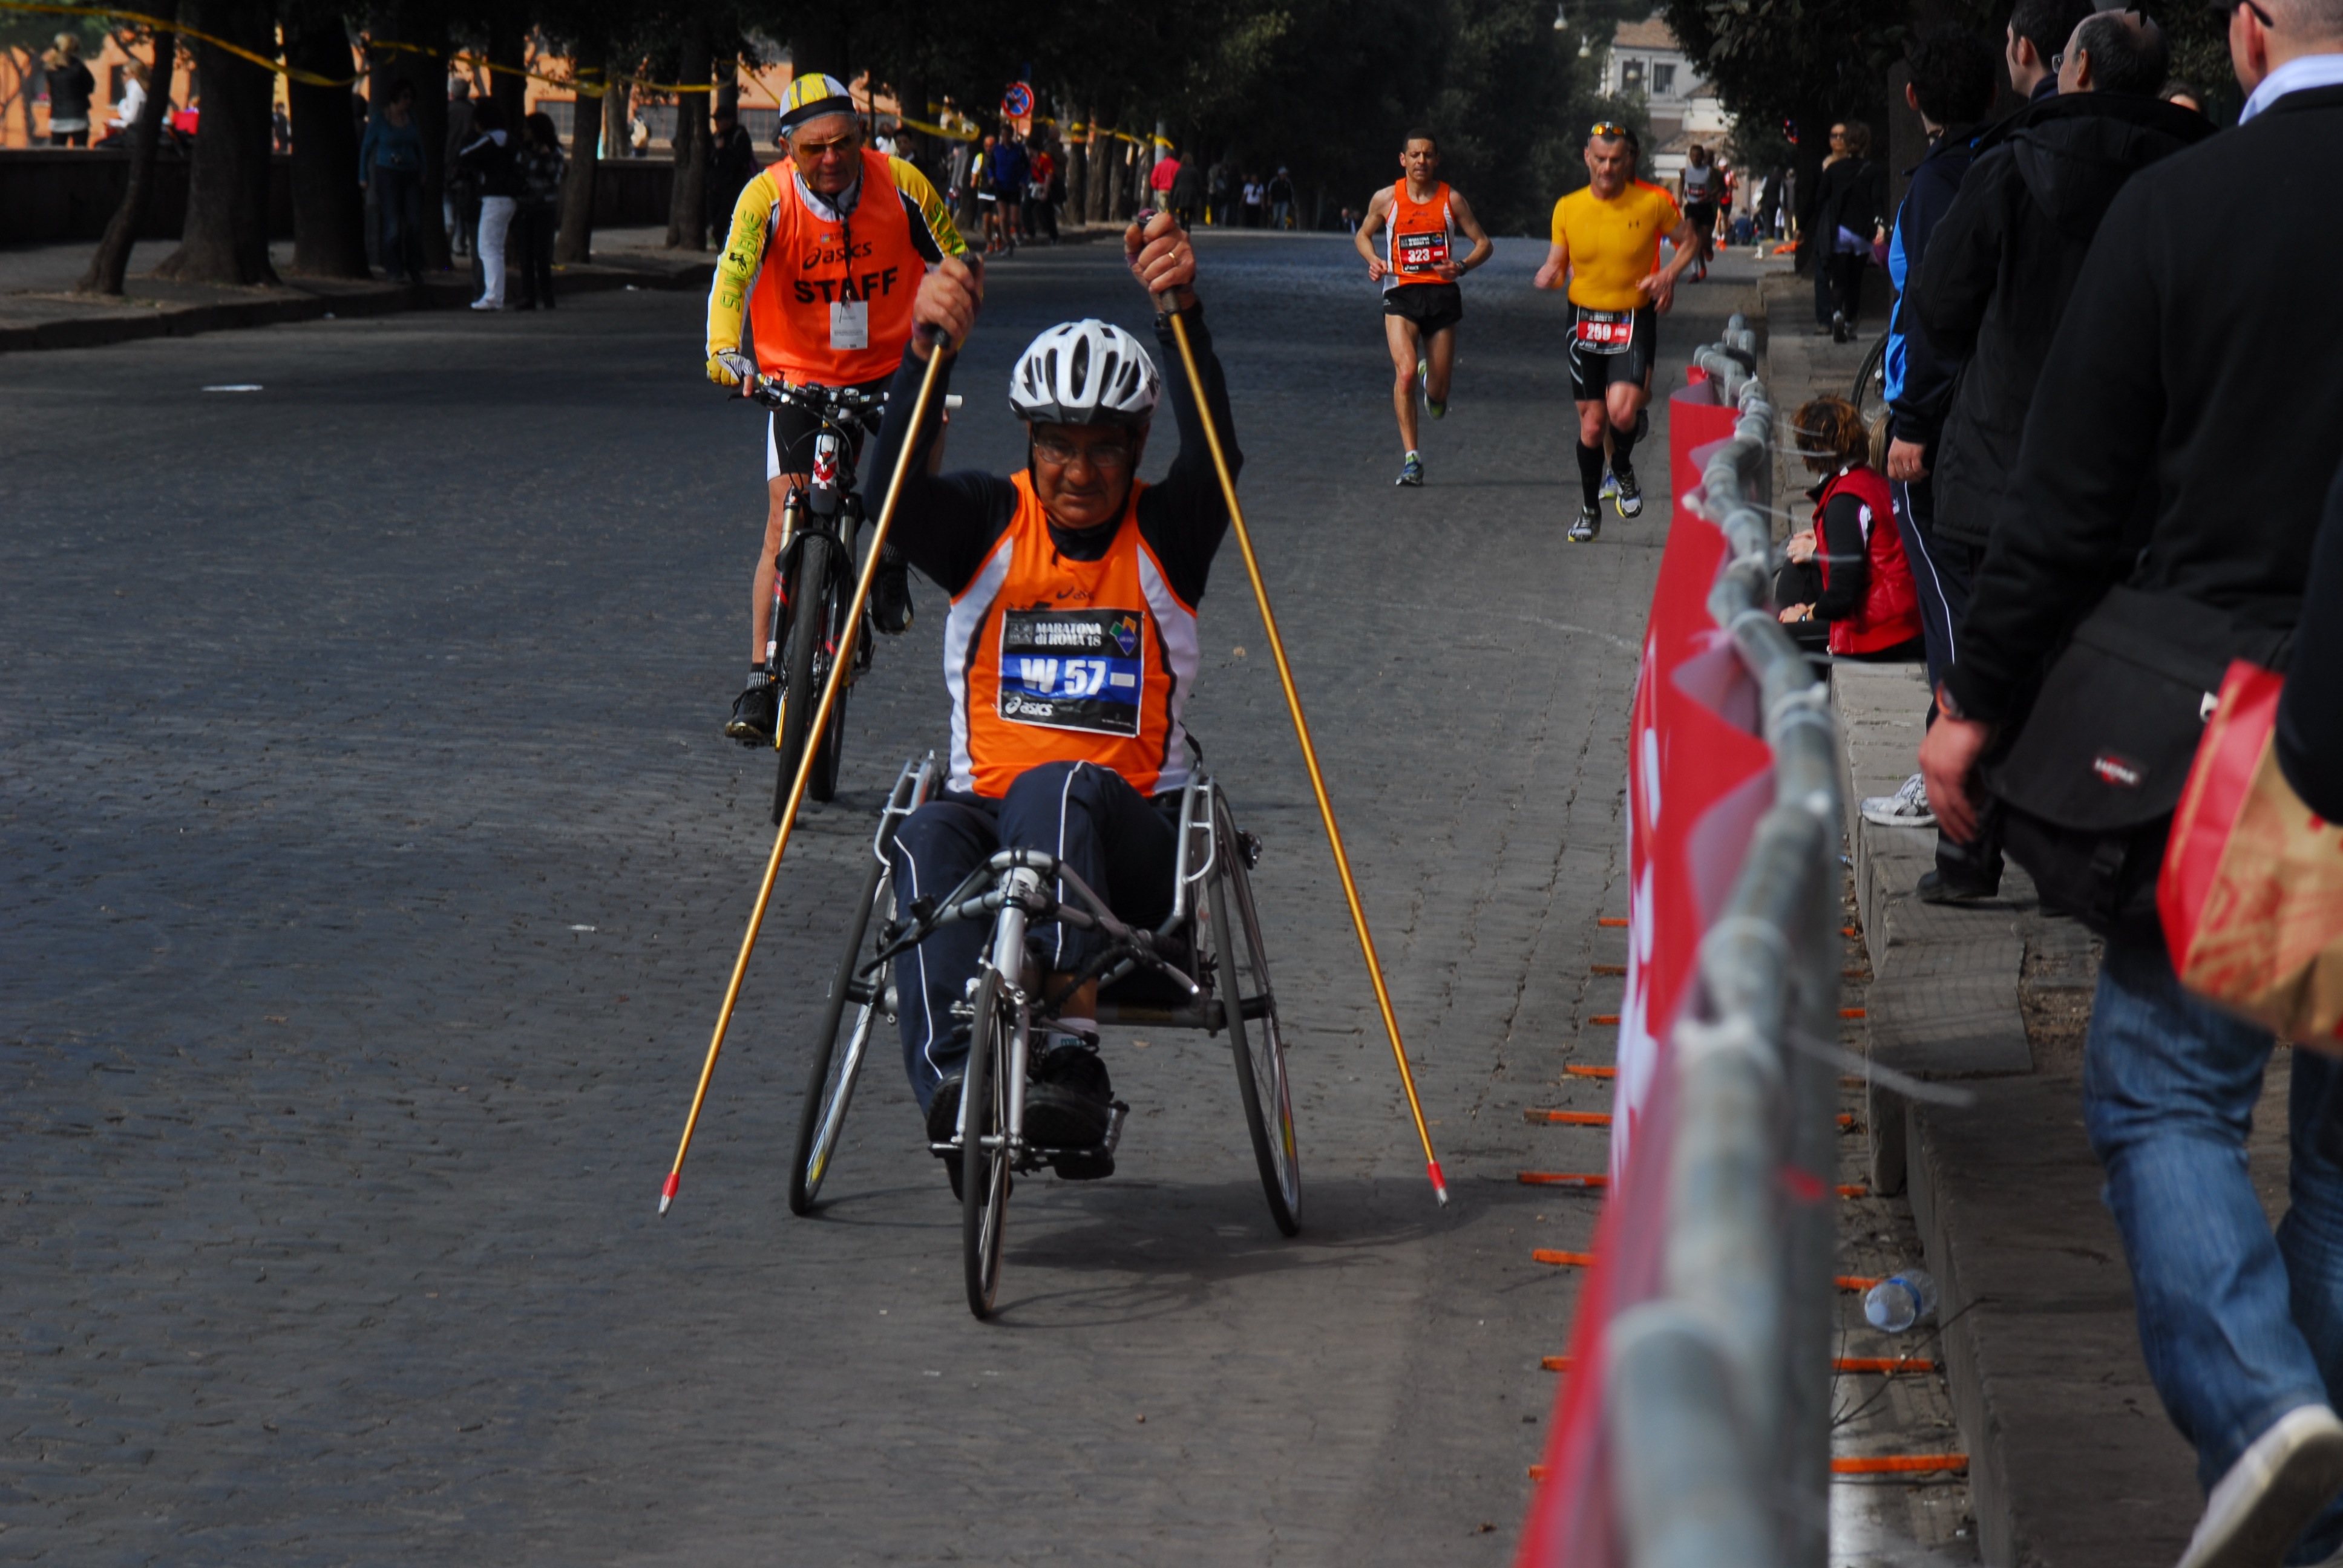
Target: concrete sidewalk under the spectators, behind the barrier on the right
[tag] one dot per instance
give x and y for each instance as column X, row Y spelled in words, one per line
column 2072, row 1457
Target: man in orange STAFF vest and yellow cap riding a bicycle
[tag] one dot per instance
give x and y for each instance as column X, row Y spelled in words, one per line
column 849, row 236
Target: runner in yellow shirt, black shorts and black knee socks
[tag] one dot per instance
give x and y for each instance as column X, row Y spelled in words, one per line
column 1606, row 240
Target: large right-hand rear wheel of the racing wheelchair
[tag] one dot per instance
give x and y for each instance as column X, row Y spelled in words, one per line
column 1250, row 1007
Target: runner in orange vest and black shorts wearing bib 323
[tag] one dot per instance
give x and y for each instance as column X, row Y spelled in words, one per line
column 1421, row 221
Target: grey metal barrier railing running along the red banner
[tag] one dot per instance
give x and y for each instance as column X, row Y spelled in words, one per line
column 1719, row 1410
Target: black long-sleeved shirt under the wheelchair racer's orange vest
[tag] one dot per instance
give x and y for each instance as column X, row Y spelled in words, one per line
column 948, row 524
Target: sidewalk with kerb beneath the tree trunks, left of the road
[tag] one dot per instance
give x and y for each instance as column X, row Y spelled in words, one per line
column 39, row 308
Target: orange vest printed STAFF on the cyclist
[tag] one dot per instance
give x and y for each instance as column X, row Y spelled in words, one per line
column 814, row 315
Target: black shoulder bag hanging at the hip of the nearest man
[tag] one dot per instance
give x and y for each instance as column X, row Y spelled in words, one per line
column 2093, row 779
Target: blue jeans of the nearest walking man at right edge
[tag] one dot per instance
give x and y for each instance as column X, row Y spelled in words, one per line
column 2241, row 1328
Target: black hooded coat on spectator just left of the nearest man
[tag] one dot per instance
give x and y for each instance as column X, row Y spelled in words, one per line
column 2002, row 268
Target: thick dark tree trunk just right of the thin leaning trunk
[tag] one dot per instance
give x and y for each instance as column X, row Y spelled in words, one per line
column 228, row 179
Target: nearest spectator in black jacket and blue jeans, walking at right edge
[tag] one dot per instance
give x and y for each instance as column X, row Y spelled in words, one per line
column 2180, row 446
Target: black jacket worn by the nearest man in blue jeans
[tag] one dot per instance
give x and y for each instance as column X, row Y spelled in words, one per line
column 2185, row 435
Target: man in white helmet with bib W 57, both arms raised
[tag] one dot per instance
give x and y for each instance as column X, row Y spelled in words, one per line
column 1070, row 657
